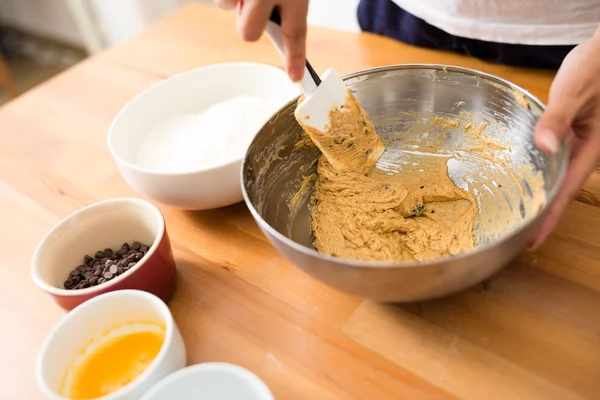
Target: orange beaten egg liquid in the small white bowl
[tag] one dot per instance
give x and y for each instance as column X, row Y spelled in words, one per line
column 114, row 364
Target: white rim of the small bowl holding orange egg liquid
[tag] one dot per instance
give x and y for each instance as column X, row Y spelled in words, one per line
column 81, row 310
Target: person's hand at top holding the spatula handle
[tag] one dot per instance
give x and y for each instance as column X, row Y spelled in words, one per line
column 253, row 16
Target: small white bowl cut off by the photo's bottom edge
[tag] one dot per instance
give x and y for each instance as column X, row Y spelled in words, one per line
column 210, row 381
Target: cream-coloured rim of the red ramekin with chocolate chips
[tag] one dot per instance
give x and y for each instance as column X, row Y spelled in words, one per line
column 37, row 254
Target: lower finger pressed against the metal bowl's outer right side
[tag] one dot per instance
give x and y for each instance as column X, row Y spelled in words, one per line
column 579, row 169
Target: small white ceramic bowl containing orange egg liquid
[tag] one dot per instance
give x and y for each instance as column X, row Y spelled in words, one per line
column 90, row 321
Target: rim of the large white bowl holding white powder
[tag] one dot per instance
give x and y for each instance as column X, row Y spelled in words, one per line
column 168, row 81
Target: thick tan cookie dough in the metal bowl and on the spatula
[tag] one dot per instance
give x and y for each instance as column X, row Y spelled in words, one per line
column 361, row 212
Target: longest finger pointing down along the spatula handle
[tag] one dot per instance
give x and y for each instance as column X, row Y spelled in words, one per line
column 293, row 28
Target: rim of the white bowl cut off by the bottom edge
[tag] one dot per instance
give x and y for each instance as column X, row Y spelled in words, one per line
column 240, row 372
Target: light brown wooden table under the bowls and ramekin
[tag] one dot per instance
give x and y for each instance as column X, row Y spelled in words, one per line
column 532, row 332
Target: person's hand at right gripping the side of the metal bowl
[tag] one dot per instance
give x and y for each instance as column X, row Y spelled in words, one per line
column 572, row 115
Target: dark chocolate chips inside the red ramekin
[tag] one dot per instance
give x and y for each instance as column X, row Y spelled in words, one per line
column 105, row 265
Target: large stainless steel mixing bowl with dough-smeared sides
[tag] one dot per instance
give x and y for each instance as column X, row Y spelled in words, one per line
column 397, row 97
